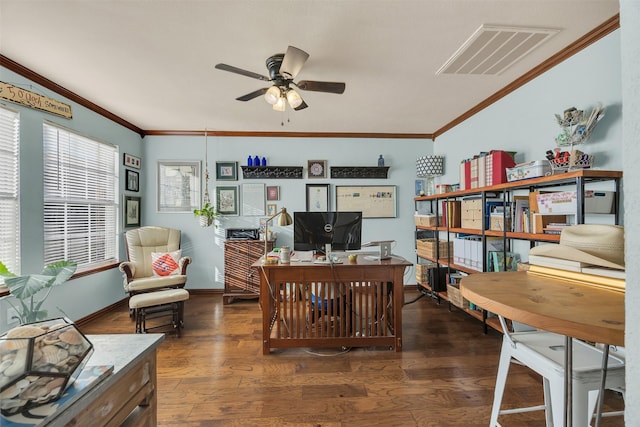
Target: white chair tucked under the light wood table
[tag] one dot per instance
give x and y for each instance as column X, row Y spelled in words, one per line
column 543, row 352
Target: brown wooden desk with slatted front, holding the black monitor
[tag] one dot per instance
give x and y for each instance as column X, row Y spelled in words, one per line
column 332, row 305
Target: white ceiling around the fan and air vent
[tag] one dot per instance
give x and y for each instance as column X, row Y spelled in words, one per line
column 151, row 63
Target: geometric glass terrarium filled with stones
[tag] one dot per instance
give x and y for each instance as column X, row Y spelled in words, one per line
column 39, row 361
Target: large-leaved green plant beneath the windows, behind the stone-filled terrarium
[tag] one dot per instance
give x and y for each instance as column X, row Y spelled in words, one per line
column 27, row 288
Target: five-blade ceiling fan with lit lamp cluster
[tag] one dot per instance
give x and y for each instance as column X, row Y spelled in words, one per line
column 283, row 68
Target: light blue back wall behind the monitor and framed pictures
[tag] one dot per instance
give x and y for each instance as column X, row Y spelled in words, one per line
column 205, row 245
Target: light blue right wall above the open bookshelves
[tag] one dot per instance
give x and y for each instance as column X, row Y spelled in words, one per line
column 524, row 120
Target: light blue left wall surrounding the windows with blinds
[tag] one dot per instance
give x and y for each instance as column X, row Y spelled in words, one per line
column 86, row 295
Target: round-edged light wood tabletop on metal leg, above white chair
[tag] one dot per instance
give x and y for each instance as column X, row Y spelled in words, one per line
column 567, row 308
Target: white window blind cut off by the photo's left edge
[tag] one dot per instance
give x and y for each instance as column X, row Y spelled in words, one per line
column 10, row 189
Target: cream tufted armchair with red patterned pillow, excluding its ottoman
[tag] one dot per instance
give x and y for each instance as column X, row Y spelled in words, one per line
column 152, row 248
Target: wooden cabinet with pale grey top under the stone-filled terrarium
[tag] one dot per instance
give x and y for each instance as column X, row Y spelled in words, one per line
column 129, row 393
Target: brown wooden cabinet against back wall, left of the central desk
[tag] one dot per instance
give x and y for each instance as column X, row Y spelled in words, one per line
column 240, row 280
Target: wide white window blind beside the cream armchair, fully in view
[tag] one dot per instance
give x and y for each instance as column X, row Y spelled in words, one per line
column 80, row 199
